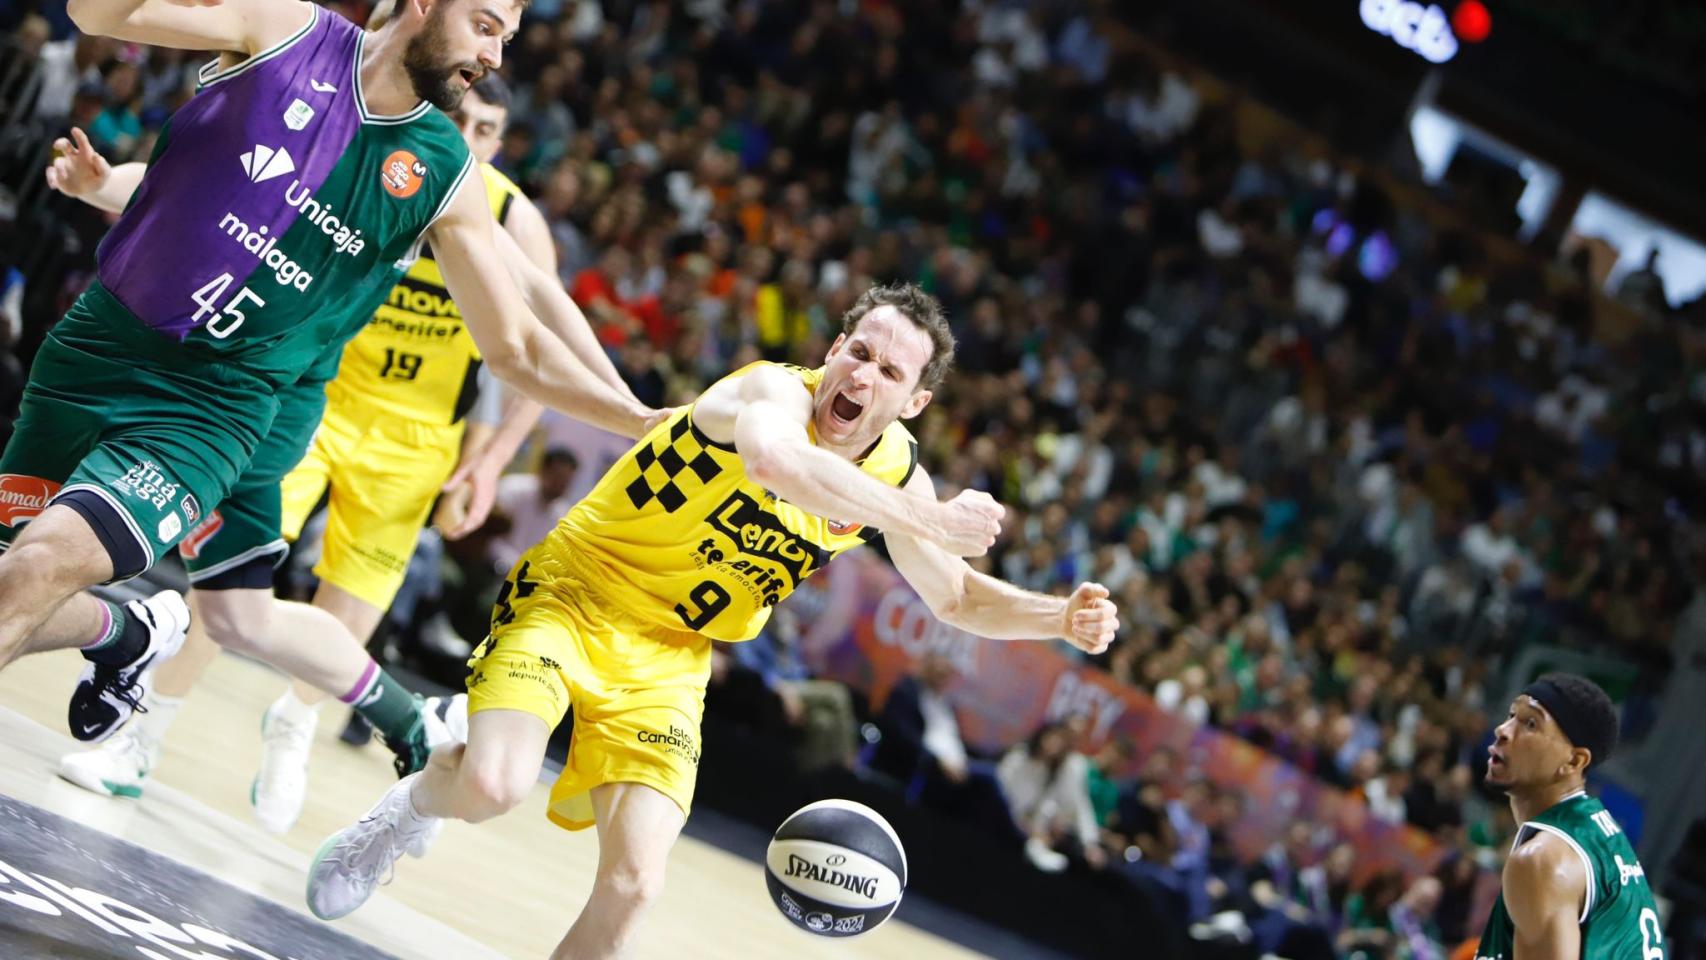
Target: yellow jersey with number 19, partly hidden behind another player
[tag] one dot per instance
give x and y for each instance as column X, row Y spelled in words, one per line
column 415, row 359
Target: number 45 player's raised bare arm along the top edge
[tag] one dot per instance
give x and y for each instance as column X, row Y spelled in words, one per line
column 231, row 26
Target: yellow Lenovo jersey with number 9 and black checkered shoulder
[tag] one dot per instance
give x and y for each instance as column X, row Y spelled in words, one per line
column 678, row 535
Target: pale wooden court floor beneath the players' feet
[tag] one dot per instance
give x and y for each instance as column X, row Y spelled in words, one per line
column 506, row 889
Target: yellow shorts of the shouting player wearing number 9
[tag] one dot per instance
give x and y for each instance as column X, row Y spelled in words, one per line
column 637, row 688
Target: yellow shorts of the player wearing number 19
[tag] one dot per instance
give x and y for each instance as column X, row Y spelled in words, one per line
column 383, row 477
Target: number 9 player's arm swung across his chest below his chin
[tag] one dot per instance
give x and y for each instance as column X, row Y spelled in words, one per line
column 767, row 413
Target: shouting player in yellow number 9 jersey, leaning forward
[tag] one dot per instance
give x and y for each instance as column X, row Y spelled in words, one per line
column 697, row 535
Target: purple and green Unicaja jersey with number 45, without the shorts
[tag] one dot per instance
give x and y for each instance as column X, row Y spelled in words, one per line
column 277, row 211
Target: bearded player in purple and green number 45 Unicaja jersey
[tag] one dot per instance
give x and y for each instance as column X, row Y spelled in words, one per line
column 308, row 168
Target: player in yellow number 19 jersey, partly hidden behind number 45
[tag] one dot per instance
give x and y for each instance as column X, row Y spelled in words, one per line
column 392, row 434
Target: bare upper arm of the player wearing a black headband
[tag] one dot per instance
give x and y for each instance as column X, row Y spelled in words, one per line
column 1545, row 886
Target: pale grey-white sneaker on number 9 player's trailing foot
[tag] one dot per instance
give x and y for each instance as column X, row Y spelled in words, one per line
column 354, row 862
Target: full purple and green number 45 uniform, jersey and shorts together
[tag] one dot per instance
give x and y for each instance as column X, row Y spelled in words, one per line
column 276, row 217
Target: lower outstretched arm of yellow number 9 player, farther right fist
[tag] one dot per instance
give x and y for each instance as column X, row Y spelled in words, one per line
column 995, row 610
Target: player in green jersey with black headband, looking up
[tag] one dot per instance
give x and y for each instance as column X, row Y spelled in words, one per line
column 1574, row 888
